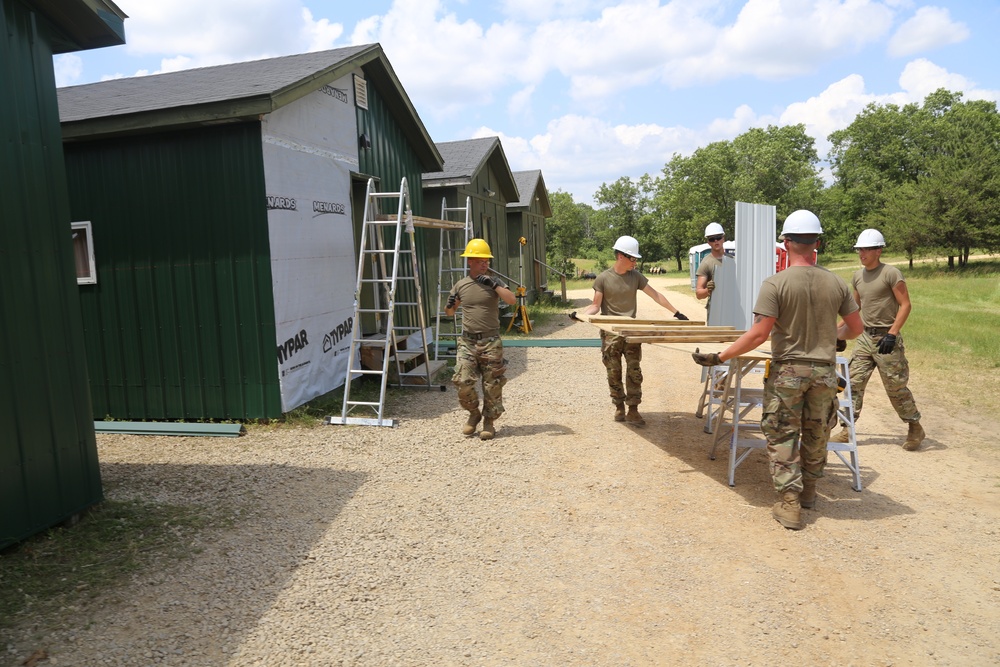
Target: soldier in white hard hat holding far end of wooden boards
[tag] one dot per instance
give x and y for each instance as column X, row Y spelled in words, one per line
column 615, row 292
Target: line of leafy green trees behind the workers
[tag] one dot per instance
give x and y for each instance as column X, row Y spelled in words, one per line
column 927, row 175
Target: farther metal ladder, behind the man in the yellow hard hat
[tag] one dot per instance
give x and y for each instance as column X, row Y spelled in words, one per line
column 451, row 269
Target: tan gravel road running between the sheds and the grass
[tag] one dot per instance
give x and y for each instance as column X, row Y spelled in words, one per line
column 568, row 540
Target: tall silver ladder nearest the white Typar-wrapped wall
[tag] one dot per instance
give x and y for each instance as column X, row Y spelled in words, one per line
column 392, row 287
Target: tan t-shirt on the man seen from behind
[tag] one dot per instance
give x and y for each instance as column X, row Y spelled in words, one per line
column 806, row 301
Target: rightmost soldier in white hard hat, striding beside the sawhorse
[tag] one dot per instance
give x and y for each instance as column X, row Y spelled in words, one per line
column 881, row 292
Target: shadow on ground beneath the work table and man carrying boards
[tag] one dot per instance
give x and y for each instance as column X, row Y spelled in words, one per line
column 680, row 435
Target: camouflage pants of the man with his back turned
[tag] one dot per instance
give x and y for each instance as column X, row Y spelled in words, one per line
column 798, row 401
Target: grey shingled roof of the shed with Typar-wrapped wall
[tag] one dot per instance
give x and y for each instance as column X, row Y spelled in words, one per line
column 234, row 92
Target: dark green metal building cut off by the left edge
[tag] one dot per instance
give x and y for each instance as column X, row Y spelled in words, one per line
column 48, row 452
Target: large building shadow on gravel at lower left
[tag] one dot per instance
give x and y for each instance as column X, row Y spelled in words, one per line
column 267, row 521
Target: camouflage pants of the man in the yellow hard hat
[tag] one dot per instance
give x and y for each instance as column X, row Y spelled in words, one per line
column 475, row 360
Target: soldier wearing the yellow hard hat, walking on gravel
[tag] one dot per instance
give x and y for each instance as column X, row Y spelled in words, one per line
column 480, row 348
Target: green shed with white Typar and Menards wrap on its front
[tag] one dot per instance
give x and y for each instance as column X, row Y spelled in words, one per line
column 225, row 205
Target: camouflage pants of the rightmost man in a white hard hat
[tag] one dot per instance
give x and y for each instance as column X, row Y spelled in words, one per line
column 893, row 369
